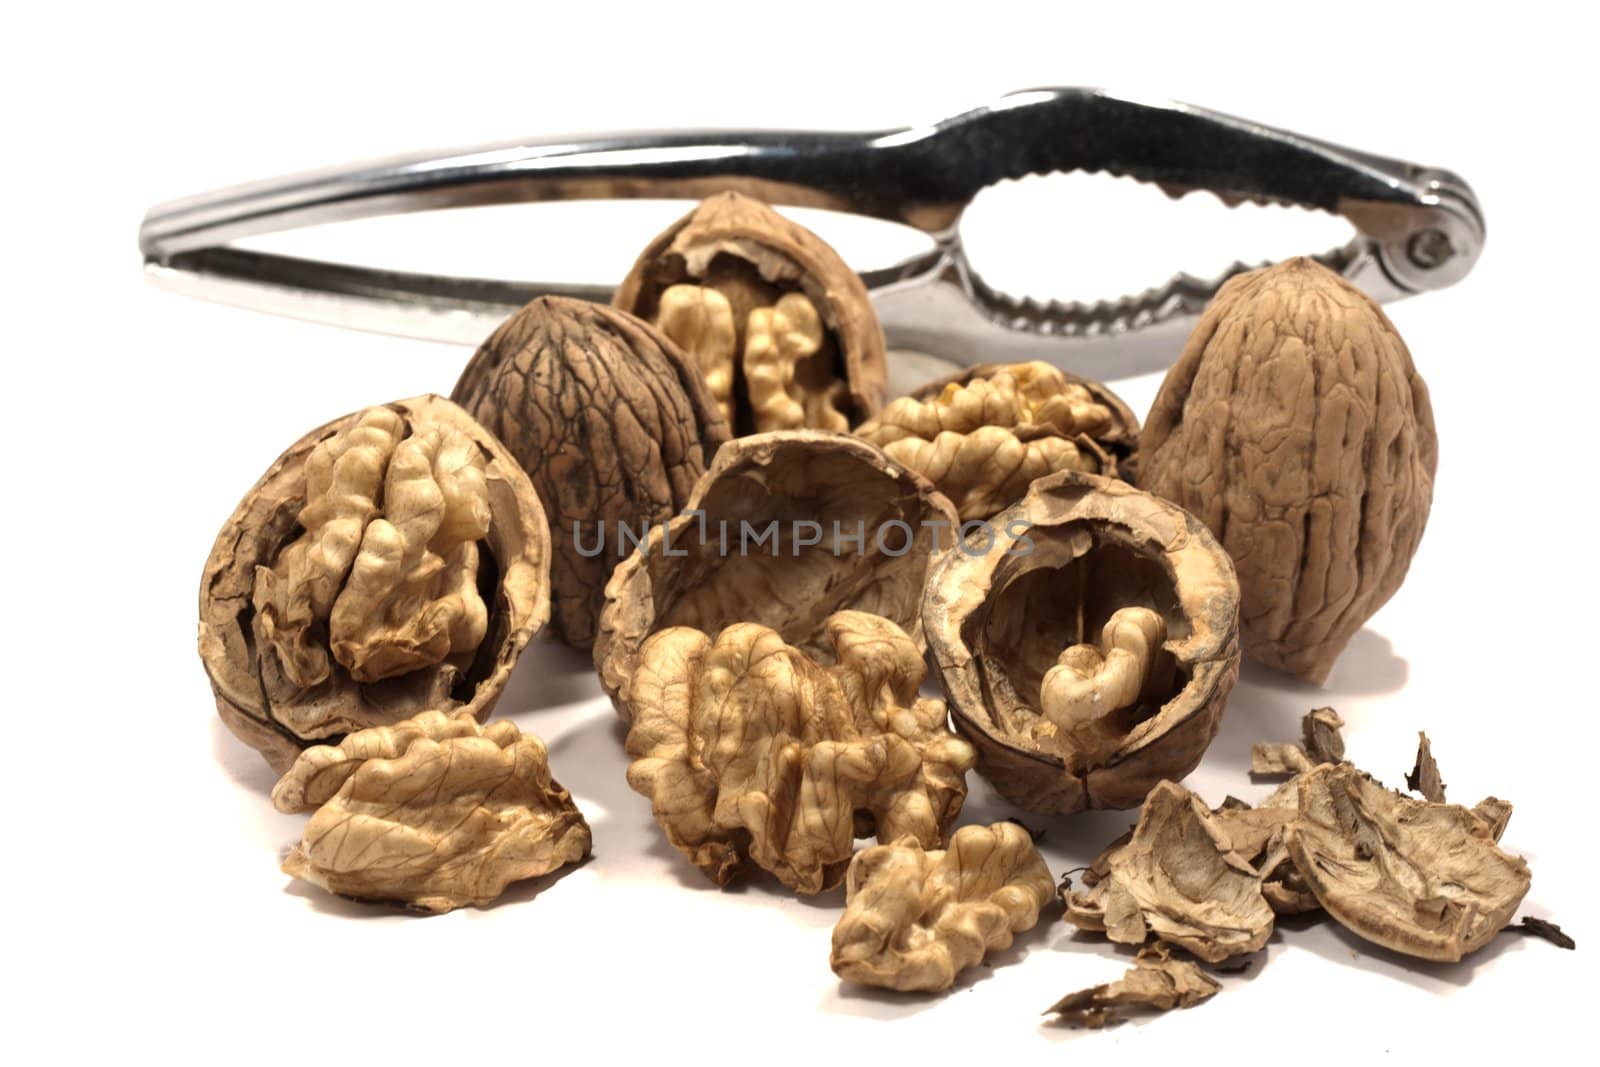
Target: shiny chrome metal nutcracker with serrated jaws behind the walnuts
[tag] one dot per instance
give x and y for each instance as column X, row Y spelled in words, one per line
column 1417, row 228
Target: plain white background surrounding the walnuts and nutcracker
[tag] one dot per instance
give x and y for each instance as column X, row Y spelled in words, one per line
column 145, row 911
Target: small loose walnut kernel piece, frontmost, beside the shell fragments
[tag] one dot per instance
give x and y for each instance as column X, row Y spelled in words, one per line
column 916, row 919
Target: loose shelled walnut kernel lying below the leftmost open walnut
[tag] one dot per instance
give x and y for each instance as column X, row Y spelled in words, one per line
column 436, row 813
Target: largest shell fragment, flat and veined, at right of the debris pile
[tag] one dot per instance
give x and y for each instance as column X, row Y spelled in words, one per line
column 1418, row 877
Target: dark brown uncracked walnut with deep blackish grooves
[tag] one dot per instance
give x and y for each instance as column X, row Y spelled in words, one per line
column 612, row 425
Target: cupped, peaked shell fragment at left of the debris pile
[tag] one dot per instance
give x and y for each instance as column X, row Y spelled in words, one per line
column 1180, row 881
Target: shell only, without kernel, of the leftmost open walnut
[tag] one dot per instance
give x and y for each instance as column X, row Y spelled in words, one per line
column 278, row 717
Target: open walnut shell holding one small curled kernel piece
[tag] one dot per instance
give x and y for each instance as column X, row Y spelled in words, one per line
column 1087, row 641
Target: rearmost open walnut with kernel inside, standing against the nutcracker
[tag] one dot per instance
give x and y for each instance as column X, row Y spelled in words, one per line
column 780, row 327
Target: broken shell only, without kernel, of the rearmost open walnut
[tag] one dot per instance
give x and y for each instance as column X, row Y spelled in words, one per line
column 753, row 257
